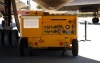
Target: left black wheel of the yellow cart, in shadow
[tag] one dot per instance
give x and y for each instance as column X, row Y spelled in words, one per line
column 23, row 47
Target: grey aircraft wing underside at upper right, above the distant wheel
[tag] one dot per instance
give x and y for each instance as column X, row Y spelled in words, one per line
column 83, row 5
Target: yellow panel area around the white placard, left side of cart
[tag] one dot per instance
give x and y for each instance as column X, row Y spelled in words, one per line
column 31, row 32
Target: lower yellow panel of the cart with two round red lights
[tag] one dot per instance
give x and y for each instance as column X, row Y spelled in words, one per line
column 52, row 41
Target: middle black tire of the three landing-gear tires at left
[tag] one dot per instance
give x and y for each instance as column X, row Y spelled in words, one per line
column 7, row 38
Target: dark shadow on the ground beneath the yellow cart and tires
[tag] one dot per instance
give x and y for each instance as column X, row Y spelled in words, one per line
column 11, row 55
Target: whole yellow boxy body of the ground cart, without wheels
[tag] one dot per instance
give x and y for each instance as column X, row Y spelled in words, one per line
column 46, row 31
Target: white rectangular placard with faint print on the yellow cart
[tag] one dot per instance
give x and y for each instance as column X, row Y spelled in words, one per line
column 31, row 23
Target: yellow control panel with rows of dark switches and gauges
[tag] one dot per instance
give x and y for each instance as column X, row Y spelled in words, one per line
column 59, row 26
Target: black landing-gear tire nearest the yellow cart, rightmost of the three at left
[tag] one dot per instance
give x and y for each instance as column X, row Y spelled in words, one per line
column 14, row 38
